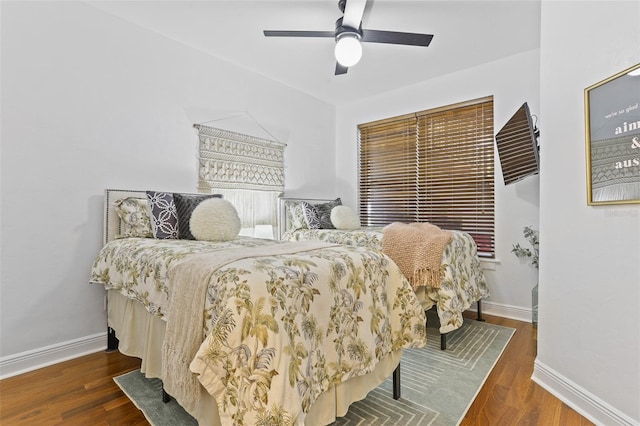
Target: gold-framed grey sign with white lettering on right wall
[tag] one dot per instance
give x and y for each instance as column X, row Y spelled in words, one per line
column 612, row 117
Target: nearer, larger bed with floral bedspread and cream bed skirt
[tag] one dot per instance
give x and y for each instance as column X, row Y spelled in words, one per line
column 281, row 333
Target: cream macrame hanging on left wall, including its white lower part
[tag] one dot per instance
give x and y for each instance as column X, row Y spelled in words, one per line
column 248, row 171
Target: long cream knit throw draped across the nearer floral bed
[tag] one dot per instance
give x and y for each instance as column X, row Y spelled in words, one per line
column 188, row 283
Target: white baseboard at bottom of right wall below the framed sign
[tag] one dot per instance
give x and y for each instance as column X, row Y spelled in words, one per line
column 585, row 403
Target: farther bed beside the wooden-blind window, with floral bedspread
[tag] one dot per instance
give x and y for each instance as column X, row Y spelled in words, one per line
column 462, row 280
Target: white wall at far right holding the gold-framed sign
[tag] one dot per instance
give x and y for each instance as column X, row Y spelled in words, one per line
column 589, row 332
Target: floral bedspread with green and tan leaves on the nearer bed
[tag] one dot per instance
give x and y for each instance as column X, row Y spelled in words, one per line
column 279, row 329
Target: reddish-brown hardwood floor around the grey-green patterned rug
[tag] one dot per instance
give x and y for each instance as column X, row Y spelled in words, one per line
column 82, row 391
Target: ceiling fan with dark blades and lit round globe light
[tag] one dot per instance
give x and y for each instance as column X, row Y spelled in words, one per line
column 349, row 34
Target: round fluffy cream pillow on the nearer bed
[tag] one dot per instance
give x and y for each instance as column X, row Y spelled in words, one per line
column 215, row 219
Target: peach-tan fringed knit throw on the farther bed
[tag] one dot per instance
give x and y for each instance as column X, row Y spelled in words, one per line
column 417, row 250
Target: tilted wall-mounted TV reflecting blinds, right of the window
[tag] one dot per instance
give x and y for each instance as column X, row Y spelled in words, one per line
column 517, row 144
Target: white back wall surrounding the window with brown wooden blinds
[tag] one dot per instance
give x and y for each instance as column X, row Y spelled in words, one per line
column 512, row 81
